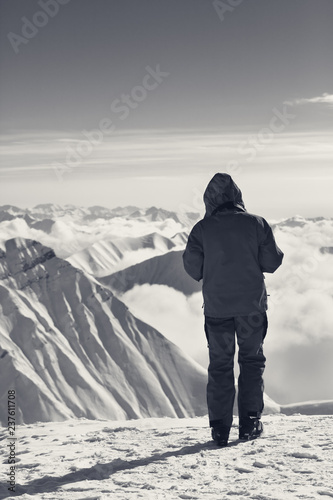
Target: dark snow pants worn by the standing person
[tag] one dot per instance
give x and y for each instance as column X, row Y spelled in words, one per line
column 250, row 332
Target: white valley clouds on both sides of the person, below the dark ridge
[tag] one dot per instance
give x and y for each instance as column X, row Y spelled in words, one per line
column 299, row 342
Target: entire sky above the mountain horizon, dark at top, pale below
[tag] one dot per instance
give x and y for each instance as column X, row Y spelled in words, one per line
column 140, row 103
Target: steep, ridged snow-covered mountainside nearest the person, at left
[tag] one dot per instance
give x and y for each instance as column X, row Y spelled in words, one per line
column 69, row 347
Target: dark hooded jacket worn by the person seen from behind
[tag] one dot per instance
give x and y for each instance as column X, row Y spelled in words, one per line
column 230, row 249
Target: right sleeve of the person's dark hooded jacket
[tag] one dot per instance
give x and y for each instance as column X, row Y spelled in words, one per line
column 270, row 256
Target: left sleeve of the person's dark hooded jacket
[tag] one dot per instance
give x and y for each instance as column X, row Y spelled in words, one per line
column 193, row 256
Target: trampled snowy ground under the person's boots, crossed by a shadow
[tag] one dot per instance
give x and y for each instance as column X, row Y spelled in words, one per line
column 171, row 459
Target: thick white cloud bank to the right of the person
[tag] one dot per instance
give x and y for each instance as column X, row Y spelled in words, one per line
column 299, row 343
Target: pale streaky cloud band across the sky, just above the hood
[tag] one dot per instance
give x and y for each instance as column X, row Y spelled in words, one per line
column 154, row 153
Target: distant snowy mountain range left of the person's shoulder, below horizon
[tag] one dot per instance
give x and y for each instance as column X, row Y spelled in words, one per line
column 99, row 240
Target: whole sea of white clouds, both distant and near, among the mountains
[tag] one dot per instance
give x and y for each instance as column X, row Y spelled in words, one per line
column 299, row 344
